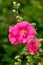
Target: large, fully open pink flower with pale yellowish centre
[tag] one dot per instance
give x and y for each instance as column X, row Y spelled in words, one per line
column 21, row 33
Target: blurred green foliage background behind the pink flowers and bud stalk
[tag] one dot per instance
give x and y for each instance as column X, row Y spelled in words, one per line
column 33, row 10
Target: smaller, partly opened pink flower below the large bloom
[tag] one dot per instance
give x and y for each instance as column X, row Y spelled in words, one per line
column 33, row 46
